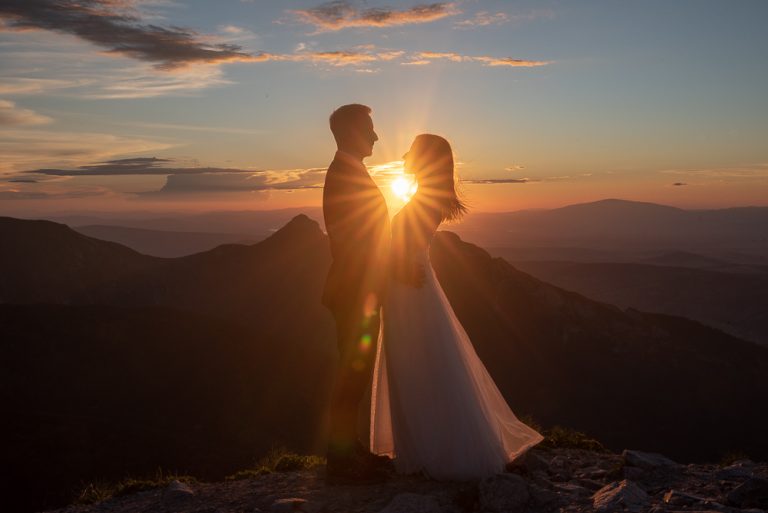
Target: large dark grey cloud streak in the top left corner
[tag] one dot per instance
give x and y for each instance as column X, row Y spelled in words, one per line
column 116, row 26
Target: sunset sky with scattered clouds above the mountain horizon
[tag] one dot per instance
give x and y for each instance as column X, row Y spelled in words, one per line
column 190, row 105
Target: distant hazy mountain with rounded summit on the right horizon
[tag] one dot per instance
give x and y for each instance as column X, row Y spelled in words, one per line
column 621, row 226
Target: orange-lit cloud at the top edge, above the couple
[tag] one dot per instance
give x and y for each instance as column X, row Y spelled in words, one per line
column 341, row 14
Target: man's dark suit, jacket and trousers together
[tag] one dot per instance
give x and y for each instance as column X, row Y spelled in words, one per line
column 357, row 222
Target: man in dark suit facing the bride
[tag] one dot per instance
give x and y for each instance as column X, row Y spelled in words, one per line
column 357, row 222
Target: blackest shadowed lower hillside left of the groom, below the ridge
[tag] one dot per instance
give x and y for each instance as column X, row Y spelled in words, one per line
column 98, row 392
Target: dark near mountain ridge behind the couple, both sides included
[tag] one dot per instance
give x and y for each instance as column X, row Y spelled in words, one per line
column 117, row 362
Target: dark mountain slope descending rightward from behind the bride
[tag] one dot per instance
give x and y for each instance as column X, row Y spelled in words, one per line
column 628, row 378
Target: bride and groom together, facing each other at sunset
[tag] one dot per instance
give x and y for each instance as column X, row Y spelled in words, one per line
column 434, row 407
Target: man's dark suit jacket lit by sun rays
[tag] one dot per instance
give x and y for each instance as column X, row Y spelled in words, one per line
column 357, row 222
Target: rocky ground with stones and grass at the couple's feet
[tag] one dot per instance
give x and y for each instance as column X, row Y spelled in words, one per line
column 548, row 480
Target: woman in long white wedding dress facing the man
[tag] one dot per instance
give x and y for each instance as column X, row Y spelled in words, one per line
column 435, row 408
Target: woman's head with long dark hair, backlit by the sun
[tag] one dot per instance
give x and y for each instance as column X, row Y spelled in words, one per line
column 430, row 160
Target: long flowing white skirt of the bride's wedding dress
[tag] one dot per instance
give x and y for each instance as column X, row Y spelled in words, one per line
column 434, row 407
